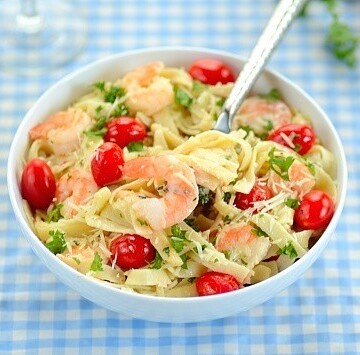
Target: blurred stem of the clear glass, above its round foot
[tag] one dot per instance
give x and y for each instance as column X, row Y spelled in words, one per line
column 29, row 21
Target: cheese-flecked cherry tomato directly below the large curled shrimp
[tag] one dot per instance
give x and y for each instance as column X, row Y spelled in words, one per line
column 131, row 251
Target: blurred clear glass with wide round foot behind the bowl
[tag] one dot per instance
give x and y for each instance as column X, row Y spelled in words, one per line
column 37, row 36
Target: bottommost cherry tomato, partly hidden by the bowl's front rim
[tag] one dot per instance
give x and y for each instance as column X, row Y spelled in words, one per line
column 212, row 283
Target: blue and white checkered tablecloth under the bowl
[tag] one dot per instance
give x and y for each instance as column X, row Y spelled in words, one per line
column 319, row 314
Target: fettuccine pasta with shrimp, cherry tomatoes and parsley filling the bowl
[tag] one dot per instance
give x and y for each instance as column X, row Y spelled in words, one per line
column 131, row 186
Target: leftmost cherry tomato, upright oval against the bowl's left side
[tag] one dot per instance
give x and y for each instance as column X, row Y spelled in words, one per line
column 38, row 184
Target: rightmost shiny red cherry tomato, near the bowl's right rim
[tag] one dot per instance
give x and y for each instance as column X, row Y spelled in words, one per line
column 315, row 210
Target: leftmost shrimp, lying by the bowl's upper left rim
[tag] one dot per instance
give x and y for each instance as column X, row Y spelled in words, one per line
column 62, row 130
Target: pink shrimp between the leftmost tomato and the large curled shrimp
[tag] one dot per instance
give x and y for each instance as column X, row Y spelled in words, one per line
column 74, row 188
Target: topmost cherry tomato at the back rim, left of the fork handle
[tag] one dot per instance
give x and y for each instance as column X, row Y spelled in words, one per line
column 211, row 71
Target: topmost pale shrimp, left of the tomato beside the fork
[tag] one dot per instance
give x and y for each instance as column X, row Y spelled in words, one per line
column 148, row 92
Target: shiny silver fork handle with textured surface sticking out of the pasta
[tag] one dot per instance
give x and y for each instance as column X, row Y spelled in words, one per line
column 279, row 22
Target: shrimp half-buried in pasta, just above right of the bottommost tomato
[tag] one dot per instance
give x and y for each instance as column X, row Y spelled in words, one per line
column 242, row 244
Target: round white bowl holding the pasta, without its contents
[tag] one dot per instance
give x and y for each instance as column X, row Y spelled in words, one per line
column 153, row 308
